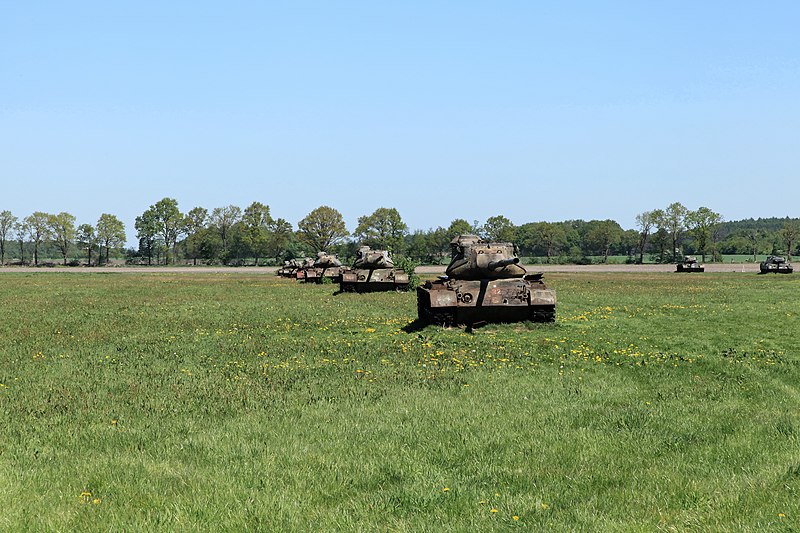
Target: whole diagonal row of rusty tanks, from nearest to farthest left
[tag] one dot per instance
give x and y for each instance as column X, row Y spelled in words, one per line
column 484, row 282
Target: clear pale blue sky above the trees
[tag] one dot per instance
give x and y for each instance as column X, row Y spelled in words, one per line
column 461, row 109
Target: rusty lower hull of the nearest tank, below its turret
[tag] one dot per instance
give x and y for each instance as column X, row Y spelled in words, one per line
column 451, row 302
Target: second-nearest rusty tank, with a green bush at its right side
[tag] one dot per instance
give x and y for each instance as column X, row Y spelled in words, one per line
column 373, row 270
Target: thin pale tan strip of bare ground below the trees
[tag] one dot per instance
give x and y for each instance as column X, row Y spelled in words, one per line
column 711, row 267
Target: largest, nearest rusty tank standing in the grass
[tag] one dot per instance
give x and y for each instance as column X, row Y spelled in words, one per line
column 484, row 282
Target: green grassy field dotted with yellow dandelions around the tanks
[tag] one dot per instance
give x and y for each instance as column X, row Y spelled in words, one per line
column 240, row 401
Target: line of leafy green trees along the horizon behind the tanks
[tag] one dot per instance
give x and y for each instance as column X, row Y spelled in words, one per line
column 231, row 235
